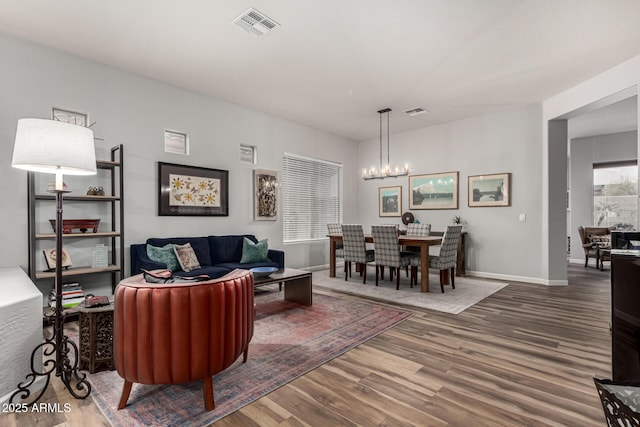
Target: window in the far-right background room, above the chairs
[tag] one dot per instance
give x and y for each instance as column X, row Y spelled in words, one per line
column 615, row 195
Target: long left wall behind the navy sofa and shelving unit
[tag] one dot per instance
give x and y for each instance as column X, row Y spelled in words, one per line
column 134, row 111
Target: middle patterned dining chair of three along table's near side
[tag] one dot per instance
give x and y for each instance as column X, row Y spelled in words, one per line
column 388, row 253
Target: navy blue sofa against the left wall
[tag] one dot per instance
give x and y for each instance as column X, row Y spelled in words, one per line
column 217, row 255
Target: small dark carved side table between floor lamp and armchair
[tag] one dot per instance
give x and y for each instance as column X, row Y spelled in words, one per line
column 96, row 337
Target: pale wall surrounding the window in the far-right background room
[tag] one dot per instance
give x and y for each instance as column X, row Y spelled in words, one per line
column 584, row 153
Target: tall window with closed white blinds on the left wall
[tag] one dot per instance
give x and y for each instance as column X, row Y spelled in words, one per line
column 311, row 197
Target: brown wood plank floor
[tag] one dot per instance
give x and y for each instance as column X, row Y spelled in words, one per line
column 526, row 356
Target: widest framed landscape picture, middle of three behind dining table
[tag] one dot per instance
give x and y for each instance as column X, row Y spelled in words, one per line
column 434, row 191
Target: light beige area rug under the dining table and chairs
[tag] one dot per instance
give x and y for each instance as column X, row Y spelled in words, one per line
column 468, row 291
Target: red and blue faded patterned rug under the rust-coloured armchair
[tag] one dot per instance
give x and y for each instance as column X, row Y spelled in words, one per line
column 289, row 340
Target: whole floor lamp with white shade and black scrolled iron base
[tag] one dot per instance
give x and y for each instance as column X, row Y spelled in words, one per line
column 50, row 146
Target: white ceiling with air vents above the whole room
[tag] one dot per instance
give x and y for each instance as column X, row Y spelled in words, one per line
column 333, row 63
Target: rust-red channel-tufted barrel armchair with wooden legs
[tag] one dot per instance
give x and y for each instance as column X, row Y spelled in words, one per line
column 180, row 332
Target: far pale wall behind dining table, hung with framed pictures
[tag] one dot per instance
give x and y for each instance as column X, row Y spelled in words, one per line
column 498, row 245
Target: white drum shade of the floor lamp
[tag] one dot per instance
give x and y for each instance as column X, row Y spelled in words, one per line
column 51, row 146
